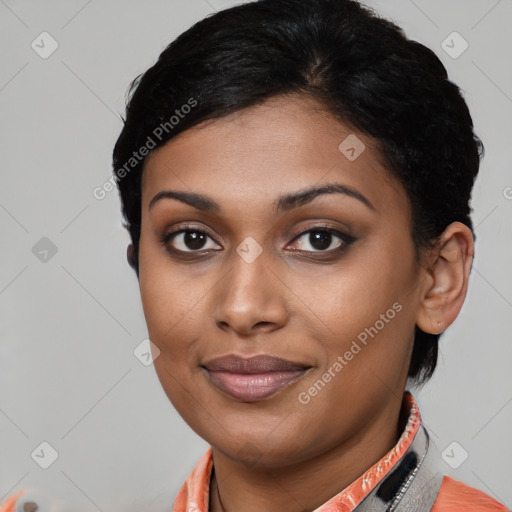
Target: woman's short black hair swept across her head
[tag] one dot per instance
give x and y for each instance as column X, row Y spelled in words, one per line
column 357, row 64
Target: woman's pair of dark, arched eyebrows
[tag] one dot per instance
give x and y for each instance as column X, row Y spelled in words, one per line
column 283, row 203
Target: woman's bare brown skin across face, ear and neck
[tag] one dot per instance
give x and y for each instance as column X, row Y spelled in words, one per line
column 279, row 454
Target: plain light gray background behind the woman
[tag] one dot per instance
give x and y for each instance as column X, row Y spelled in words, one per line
column 70, row 324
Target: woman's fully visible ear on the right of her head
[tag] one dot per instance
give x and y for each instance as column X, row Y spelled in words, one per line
column 447, row 280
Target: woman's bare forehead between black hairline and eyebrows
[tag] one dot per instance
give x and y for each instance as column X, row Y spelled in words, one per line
column 284, row 144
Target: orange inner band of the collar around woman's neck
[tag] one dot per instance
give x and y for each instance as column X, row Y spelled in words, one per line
column 194, row 495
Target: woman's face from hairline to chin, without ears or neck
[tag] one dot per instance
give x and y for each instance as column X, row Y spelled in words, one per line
column 328, row 282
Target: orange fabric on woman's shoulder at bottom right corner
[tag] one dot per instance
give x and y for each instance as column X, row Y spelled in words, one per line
column 454, row 496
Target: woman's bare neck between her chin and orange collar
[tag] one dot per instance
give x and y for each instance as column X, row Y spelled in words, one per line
column 302, row 485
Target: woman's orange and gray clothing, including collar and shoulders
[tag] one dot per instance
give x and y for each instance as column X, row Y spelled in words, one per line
column 408, row 478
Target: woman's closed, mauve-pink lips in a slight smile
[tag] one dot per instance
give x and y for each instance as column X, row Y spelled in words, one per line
column 253, row 379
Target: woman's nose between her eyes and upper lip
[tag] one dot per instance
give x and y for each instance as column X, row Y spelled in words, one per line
column 251, row 298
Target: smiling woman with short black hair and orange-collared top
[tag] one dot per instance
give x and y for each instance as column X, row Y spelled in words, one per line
column 295, row 178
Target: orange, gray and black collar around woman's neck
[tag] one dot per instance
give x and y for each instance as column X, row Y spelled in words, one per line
column 393, row 483
